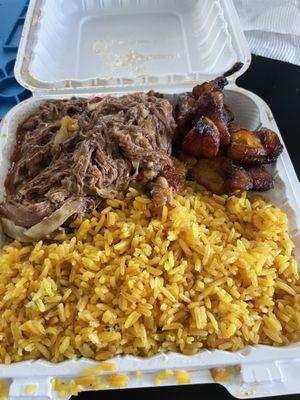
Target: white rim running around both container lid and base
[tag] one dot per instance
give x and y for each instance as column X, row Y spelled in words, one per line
column 265, row 370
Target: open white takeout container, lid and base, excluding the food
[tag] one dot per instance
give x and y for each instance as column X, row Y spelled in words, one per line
column 88, row 47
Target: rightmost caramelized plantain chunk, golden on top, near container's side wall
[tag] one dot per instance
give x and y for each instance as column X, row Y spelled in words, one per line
column 259, row 147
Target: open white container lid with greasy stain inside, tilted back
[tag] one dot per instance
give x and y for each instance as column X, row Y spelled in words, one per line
column 116, row 45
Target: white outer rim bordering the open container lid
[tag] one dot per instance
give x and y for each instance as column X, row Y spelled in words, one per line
column 69, row 85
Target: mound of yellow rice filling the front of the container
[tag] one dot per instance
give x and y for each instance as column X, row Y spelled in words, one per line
column 210, row 272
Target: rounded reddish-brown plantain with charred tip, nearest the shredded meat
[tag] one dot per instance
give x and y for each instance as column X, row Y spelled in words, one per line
column 203, row 140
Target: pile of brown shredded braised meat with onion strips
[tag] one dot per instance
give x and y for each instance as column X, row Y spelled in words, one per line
column 83, row 151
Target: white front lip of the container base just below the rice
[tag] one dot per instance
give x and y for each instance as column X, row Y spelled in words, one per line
column 127, row 363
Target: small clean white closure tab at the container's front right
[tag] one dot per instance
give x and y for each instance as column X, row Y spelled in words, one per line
column 262, row 372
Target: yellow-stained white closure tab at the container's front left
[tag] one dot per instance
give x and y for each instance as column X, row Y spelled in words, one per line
column 30, row 388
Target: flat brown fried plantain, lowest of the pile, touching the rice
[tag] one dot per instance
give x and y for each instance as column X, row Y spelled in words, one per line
column 220, row 175
